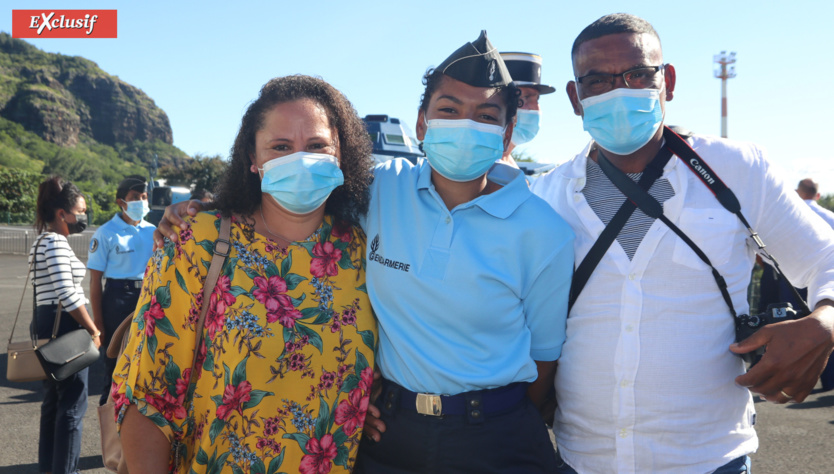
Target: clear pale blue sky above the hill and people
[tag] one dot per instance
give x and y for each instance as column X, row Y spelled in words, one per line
column 203, row 62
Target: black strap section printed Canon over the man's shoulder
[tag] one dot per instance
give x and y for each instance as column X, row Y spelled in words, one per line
column 725, row 196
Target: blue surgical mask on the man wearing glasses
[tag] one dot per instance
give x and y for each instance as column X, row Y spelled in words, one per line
column 623, row 120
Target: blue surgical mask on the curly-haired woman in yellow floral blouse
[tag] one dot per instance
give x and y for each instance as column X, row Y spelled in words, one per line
column 302, row 181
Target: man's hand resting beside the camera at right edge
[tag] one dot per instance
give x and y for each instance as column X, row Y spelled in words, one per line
column 796, row 354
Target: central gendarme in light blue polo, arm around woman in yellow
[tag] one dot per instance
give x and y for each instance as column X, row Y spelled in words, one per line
column 469, row 326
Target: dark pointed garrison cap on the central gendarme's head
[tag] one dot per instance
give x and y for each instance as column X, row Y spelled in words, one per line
column 477, row 63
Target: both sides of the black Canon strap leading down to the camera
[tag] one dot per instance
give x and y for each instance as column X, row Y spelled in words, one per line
column 725, row 196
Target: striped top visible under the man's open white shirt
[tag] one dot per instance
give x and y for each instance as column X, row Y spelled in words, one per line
column 605, row 199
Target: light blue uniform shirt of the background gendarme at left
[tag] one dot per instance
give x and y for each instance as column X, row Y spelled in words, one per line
column 121, row 250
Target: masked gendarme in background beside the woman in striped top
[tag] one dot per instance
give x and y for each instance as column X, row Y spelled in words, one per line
column 119, row 252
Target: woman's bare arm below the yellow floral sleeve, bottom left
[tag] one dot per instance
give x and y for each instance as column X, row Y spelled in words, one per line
column 145, row 448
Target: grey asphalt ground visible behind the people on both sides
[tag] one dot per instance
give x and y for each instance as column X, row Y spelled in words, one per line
column 794, row 438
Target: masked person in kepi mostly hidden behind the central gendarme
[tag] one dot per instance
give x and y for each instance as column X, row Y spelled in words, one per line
column 526, row 71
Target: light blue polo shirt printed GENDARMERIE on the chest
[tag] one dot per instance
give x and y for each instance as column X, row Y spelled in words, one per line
column 466, row 299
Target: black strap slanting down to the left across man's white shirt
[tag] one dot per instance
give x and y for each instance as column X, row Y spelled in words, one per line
column 583, row 272
